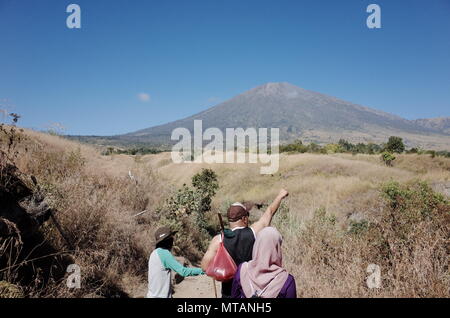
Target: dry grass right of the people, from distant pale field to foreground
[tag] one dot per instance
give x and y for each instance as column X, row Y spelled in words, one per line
column 325, row 260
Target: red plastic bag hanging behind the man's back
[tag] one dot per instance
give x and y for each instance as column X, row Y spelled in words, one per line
column 223, row 267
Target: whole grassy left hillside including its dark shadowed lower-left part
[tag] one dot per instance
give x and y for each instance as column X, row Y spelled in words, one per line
column 63, row 203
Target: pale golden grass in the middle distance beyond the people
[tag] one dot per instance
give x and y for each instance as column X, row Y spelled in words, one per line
column 345, row 184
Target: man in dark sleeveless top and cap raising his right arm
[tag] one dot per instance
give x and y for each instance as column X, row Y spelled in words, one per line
column 239, row 242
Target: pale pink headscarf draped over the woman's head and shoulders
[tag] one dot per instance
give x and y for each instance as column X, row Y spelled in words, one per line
column 264, row 271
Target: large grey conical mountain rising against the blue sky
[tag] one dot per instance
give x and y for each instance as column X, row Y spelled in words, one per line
column 299, row 113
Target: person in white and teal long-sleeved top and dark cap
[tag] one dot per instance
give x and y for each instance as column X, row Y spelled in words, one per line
column 161, row 263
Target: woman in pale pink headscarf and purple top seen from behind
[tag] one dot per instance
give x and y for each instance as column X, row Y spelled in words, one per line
column 264, row 276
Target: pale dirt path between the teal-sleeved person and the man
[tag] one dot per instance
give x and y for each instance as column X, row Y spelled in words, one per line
column 196, row 287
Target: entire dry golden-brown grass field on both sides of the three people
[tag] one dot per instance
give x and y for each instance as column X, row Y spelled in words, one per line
column 335, row 222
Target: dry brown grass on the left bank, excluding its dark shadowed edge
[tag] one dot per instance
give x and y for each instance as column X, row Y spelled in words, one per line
column 95, row 203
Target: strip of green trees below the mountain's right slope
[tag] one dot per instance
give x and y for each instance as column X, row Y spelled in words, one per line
column 394, row 145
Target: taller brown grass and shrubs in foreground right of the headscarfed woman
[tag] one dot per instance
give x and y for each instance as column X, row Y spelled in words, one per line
column 408, row 240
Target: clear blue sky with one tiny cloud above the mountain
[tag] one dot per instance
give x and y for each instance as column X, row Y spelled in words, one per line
column 136, row 64
